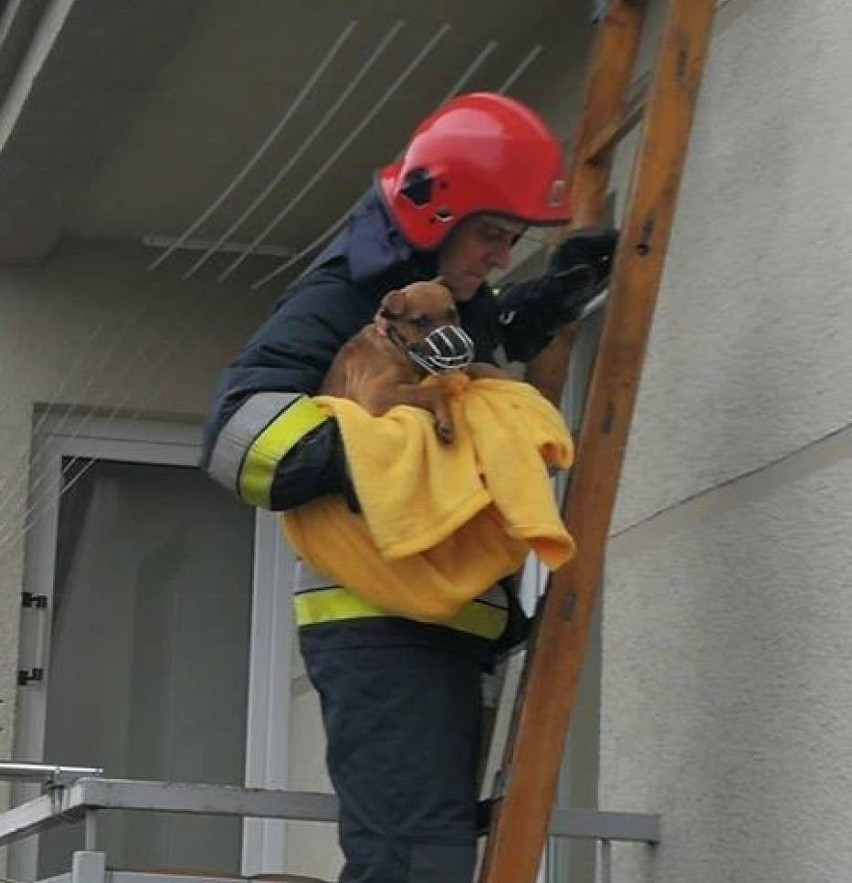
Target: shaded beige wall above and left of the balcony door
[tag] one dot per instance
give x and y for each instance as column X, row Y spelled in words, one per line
column 92, row 328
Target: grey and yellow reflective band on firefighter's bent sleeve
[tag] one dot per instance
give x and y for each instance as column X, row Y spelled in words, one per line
column 253, row 441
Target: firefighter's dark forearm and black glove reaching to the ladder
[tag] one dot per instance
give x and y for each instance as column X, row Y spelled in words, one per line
column 530, row 313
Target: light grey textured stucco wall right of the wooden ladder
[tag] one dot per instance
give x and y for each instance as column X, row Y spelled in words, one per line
column 727, row 670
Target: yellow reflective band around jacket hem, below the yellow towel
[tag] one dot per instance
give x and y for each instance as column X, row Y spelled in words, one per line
column 336, row 604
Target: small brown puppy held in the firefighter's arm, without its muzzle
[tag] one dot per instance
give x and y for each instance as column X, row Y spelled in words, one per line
column 374, row 367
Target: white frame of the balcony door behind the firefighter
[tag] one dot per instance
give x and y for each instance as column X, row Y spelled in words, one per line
column 271, row 636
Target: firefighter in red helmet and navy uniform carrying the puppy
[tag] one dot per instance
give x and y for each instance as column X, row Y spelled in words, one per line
column 401, row 699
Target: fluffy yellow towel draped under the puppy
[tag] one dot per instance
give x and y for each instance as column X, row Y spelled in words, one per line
column 441, row 523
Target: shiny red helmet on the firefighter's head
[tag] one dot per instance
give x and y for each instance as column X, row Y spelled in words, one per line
column 479, row 153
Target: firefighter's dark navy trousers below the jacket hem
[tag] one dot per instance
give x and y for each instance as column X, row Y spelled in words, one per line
column 403, row 731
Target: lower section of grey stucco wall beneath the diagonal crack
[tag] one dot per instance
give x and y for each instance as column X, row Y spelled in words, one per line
column 728, row 677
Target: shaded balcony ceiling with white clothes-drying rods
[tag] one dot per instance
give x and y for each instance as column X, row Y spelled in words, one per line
column 131, row 121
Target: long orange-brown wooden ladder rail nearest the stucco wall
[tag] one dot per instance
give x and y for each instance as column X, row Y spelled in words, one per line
column 520, row 829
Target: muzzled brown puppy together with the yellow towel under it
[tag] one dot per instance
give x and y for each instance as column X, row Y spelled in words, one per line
column 453, row 483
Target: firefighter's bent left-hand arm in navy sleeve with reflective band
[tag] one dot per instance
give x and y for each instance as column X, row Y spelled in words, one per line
column 265, row 438
